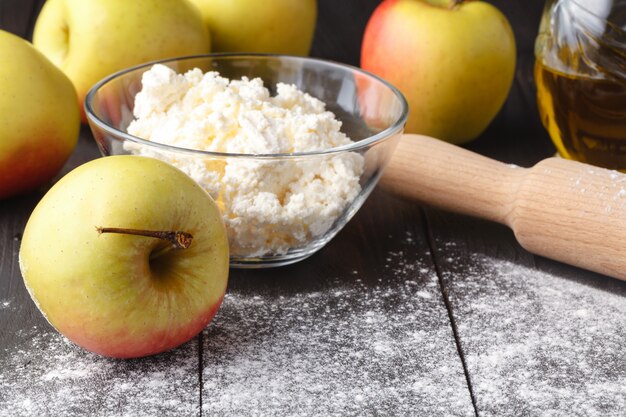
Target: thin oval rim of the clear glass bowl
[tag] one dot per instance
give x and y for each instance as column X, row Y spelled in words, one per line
column 397, row 126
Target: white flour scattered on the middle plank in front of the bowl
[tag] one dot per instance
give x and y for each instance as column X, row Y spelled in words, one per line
column 352, row 350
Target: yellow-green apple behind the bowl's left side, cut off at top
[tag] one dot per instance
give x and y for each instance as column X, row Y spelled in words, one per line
column 90, row 39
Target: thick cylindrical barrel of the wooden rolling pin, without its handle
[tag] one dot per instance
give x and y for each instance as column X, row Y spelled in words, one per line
column 573, row 213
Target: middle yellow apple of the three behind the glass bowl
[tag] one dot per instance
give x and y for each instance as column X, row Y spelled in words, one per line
column 277, row 26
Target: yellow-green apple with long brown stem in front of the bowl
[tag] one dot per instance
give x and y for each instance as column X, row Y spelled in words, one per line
column 116, row 292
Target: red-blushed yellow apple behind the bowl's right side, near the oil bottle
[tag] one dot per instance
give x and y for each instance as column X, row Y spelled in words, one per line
column 453, row 60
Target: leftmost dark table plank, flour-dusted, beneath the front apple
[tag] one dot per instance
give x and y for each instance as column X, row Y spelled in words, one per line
column 41, row 373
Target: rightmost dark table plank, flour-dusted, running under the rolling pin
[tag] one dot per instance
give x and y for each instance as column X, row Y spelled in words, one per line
column 538, row 337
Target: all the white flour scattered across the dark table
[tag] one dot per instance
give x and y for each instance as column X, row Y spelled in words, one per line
column 534, row 344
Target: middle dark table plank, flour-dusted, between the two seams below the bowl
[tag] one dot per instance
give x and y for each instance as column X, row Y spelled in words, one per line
column 359, row 328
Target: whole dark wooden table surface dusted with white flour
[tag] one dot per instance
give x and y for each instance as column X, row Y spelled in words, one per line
column 408, row 311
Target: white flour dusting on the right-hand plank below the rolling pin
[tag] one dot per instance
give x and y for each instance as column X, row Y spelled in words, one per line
column 539, row 344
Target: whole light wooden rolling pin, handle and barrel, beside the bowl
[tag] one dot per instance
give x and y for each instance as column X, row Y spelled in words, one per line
column 563, row 210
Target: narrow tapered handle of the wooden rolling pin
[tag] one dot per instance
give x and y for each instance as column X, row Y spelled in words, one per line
column 447, row 176
